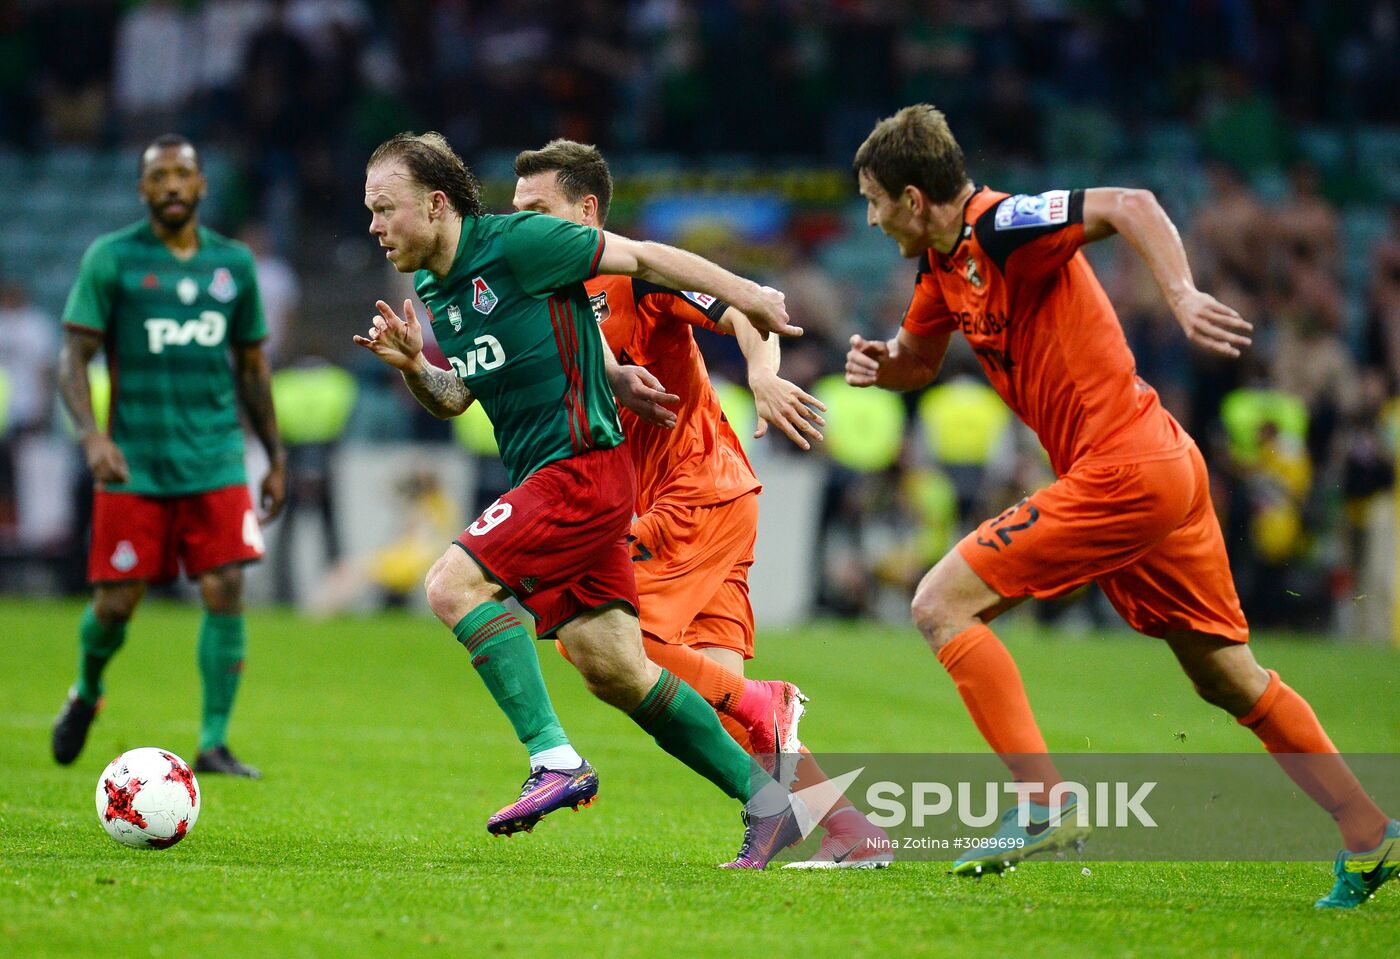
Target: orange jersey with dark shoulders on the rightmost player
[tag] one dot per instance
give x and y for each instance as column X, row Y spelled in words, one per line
column 1027, row 299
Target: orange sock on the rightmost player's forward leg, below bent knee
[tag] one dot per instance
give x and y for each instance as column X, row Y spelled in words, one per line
column 990, row 685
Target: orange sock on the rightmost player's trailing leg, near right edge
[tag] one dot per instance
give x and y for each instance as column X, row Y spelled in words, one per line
column 1290, row 730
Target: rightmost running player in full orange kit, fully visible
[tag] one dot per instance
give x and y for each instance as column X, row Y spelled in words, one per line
column 1130, row 509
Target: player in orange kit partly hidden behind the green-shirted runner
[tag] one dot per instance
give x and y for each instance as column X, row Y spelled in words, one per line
column 698, row 506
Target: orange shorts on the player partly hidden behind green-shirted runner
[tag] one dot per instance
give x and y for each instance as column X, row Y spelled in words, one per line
column 692, row 569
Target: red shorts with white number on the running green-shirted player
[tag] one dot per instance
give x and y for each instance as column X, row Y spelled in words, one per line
column 559, row 541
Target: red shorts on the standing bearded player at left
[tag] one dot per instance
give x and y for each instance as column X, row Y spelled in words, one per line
column 150, row 538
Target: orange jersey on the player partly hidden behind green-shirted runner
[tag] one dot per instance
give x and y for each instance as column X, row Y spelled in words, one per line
column 699, row 461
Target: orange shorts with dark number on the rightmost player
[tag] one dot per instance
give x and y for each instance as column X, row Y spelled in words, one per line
column 1147, row 534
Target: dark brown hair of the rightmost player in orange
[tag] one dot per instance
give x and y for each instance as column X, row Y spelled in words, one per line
column 915, row 148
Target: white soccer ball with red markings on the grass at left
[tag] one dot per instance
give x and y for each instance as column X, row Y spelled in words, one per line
column 148, row 799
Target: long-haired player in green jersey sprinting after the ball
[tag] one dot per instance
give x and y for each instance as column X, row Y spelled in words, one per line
column 507, row 303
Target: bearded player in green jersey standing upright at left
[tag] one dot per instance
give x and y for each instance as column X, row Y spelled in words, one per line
column 170, row 300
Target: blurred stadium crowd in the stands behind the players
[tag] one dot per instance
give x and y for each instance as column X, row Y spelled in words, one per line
column 1269, row 128
